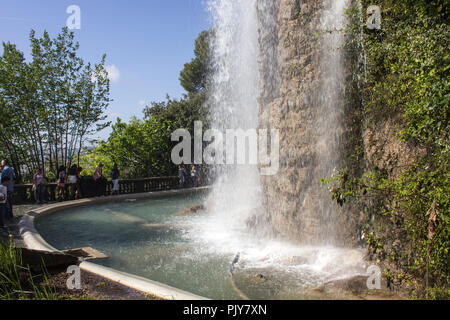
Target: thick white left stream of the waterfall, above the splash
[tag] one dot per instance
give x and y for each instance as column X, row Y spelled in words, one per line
column 234, row 104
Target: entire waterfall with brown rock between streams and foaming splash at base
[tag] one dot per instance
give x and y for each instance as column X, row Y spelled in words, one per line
column 275, row 67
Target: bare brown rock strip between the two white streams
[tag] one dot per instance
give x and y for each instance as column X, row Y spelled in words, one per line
column 291, row 112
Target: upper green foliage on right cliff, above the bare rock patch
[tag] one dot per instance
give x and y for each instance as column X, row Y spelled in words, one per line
column 409, row 69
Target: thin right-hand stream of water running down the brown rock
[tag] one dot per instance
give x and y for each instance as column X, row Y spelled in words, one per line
column 329, row 118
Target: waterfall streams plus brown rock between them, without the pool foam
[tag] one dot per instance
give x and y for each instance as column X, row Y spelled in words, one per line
column 271, row 73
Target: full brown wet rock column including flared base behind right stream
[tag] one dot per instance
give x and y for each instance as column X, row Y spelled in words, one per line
column 300, row 207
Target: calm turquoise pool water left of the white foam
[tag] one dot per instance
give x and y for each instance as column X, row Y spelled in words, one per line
column 141, row 238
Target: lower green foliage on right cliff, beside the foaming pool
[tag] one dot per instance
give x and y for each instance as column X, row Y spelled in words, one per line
column 410, row 220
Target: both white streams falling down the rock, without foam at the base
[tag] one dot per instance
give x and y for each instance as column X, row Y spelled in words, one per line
column 244, row 50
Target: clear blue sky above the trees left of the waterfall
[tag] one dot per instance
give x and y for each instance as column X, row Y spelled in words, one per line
column 147, row 42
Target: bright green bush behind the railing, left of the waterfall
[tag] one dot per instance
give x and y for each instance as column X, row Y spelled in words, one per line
column 140, row 149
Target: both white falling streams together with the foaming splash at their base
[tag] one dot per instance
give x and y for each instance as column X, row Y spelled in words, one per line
column 245, row 78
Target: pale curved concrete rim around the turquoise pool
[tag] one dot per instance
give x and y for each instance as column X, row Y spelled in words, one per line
column 34, row 241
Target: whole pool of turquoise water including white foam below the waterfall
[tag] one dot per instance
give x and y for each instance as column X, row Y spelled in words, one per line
column 150, row 238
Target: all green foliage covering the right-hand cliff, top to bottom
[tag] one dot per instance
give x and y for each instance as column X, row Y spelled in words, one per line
column 405, row 78
